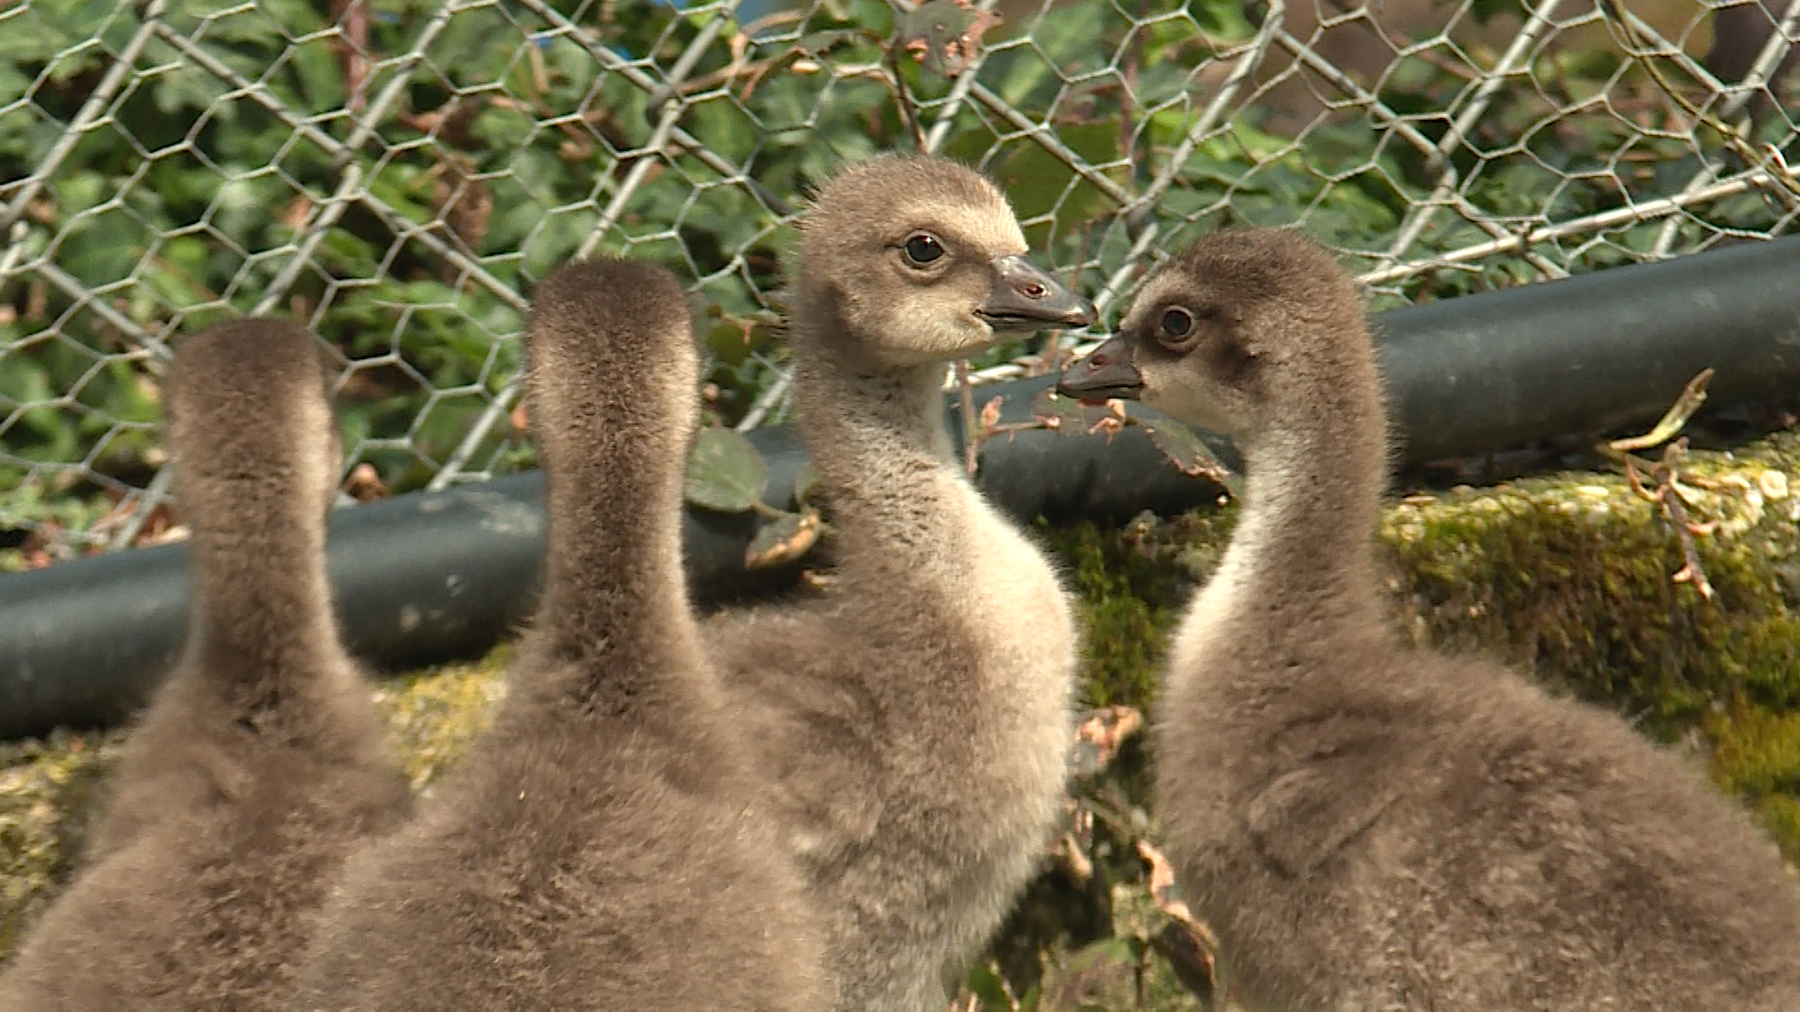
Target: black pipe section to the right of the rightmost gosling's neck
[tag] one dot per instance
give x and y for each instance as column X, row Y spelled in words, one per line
column 1594, row 352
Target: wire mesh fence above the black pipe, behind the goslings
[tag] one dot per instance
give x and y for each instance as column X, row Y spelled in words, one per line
column 399, row 174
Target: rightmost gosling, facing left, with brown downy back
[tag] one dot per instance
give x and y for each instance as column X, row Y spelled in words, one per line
column 1371, row 827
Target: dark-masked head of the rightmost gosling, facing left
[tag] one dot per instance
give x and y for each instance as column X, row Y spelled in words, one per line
column 1236, row 334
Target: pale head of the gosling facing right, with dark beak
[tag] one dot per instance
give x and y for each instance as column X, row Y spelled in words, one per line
column 921, row 260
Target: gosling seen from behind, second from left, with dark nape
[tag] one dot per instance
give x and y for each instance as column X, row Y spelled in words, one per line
column 604, row 847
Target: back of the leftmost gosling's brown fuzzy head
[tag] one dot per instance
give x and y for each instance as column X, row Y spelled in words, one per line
column 251, row 422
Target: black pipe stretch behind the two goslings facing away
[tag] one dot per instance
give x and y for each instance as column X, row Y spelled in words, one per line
column 417, row 579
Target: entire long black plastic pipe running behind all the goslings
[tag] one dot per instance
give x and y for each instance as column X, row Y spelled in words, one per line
column 433, row 577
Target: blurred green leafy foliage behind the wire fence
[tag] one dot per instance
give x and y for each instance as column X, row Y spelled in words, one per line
column 240, row 125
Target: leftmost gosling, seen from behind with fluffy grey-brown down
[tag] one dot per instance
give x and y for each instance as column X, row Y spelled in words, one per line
column 260, row 764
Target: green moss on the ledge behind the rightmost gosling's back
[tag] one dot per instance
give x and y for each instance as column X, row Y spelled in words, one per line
column 1572, row 583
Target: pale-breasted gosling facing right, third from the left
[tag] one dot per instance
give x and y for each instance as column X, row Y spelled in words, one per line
column 919, row 718
